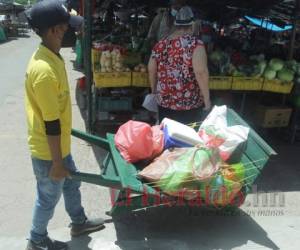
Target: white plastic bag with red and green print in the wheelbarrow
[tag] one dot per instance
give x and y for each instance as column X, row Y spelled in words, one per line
column 215, row 133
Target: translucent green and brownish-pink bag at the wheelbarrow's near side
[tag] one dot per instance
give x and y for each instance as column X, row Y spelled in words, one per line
column 177, row 170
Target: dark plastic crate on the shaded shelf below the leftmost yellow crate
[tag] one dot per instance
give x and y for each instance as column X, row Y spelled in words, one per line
column 114, row 103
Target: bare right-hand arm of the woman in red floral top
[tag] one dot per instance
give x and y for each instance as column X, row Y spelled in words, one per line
column 201, row 73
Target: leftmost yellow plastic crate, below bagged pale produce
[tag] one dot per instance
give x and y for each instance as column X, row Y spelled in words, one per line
column 110, row 80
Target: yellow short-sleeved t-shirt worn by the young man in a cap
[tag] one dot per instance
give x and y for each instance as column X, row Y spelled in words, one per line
column 47, row 99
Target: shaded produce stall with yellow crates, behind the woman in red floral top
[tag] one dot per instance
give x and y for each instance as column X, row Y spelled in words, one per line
column 115, row 55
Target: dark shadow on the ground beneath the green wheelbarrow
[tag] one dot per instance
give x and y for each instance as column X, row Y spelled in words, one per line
column 179, row 228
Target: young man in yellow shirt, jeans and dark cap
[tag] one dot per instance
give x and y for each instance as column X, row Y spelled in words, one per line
column 49, row 118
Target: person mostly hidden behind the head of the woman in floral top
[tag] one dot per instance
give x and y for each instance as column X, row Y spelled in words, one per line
column 163, row 23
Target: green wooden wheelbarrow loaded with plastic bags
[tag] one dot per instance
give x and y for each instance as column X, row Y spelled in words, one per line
column 129, row 193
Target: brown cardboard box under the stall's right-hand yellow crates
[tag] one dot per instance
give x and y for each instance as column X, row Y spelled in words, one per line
column 272, row 117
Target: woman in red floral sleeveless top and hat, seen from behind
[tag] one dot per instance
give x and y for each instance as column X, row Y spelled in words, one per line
column 178, row 72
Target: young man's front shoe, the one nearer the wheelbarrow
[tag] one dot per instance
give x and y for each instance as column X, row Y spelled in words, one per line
column 87, row 227
